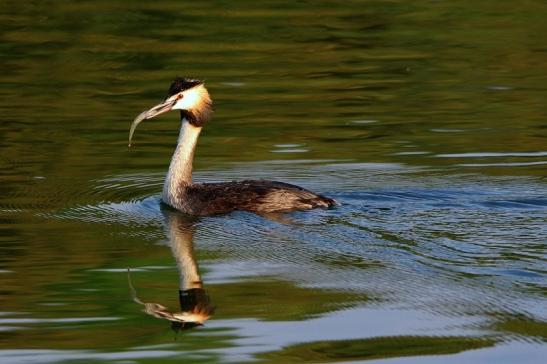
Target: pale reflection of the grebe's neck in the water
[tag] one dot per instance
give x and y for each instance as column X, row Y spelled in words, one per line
column 183, row 251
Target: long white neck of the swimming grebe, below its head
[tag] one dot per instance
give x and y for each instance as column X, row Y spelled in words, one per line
column 180, row 169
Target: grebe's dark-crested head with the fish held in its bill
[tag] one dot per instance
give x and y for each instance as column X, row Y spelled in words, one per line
column 185, row 94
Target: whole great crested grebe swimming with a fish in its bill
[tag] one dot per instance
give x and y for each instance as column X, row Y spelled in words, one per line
column 259, row 196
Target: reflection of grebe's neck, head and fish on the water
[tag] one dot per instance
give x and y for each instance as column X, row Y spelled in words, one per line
column 195, row 307
